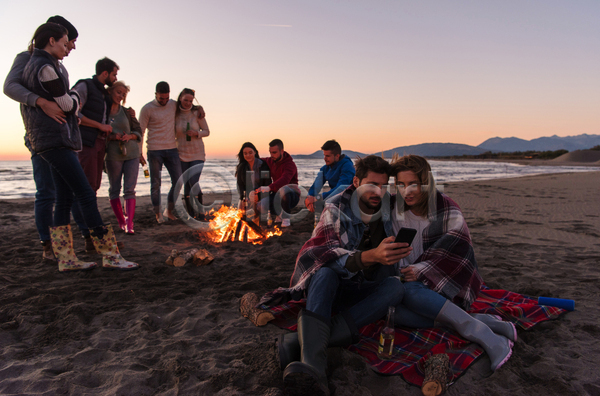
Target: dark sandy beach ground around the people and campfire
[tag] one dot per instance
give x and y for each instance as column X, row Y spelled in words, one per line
column 164, row 330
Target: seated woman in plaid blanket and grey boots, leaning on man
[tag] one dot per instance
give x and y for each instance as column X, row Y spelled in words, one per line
column 441, row 275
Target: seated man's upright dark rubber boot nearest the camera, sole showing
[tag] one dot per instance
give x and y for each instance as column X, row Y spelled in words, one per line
column 308, row 376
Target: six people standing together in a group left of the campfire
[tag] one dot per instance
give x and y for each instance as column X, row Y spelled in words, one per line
column 74, row 134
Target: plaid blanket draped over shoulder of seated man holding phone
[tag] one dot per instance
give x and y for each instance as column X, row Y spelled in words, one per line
column 338, row 233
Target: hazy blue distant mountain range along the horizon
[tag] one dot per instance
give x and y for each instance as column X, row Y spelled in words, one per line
column 496, row 145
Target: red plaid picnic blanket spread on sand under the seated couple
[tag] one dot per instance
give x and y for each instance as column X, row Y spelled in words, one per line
column 412, row 347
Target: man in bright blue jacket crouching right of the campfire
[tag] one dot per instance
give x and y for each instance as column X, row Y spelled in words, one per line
column 338, row 171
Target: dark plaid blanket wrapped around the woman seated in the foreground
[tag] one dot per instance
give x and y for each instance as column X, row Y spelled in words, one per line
column 447, row 265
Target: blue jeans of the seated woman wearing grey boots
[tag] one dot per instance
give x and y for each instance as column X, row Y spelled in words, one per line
column 418, row 298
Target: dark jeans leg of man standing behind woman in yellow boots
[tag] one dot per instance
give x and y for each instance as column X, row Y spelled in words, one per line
column 44, row 196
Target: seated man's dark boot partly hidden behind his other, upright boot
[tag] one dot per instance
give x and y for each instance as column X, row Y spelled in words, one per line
column 343, row 333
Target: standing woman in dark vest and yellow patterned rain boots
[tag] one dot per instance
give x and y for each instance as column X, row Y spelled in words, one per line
column 56, row 143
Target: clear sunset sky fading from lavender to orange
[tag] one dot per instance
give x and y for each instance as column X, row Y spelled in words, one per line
column 373, row 75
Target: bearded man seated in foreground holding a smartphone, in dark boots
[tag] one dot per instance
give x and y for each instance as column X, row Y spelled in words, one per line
column 345, row 267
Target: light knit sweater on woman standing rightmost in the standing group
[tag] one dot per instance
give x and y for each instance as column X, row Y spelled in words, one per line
column 194, row 149
